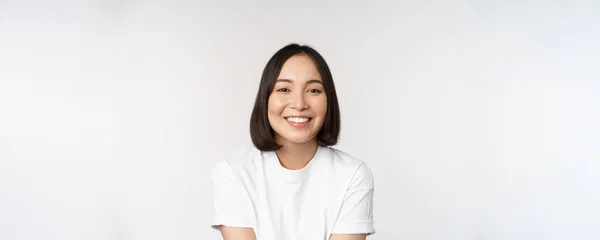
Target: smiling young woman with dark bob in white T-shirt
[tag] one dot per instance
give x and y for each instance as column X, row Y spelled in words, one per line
column 292, row 184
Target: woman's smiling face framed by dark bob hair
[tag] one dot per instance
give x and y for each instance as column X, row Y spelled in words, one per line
column 298, row 104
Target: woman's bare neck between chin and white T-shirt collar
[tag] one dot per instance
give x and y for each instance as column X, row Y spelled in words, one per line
column 295, row 156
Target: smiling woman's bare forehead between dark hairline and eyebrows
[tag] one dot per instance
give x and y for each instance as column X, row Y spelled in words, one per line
column 299, row 67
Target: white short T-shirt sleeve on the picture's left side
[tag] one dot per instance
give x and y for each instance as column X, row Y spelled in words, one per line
column 231, row 202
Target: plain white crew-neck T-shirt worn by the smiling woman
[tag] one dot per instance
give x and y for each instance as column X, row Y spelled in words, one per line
column 332, row 194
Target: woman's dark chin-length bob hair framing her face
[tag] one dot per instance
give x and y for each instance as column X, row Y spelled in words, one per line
column 260, row 128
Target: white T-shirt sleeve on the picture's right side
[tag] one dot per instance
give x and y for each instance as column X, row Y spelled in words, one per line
column 356, row 214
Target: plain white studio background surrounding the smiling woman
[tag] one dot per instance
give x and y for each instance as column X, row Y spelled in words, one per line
column 480, row 120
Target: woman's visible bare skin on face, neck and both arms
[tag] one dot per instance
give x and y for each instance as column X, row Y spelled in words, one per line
column 298, row 91
